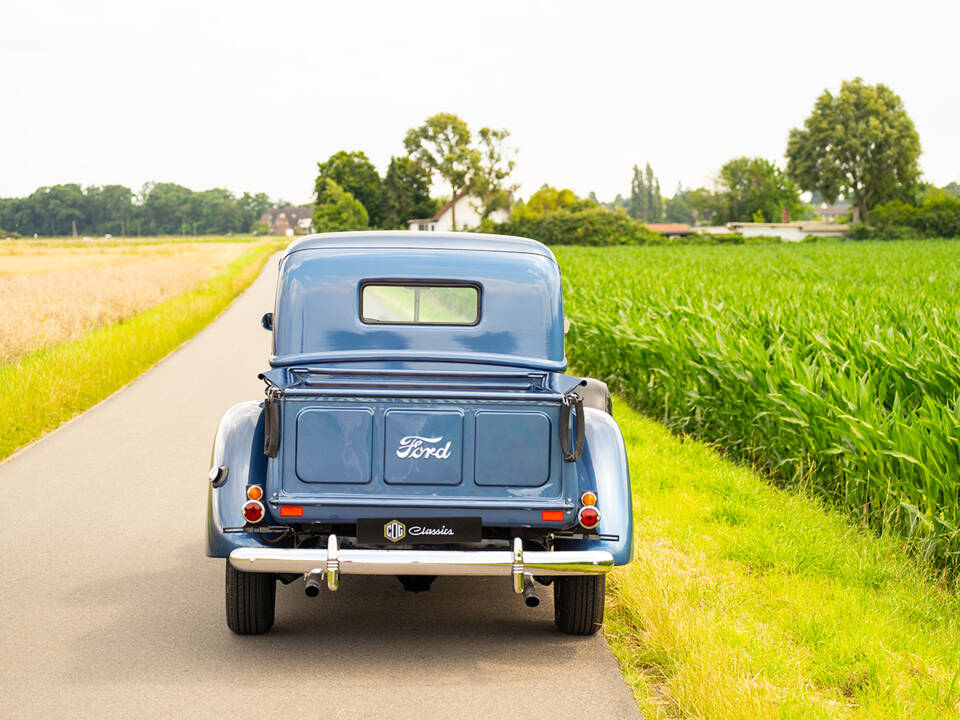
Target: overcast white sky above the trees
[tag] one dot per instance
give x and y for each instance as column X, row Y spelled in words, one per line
column 250, row 95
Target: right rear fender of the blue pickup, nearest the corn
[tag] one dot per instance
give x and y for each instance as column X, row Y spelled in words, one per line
column 603, row 466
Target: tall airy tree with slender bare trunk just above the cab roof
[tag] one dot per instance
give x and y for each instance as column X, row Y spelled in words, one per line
column 441, row 146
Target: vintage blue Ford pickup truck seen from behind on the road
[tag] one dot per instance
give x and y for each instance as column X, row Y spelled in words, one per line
column 417, row 422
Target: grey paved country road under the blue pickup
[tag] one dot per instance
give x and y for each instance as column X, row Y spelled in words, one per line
column 110, row 609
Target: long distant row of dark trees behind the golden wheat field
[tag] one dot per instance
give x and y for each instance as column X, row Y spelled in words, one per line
column 158, row 209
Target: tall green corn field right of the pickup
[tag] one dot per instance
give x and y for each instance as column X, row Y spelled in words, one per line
column 833, row 366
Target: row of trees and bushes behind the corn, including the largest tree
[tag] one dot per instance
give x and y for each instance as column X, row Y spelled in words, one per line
column 859, row 145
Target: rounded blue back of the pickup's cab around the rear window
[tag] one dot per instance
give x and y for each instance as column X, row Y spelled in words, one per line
column 320, row 316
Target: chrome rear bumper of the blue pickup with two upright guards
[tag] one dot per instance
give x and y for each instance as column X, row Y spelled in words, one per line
column 355, row 561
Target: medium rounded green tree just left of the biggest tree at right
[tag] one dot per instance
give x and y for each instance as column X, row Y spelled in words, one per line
column 754, row 188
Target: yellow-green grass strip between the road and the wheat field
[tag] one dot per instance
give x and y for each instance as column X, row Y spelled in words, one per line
column 41, row 390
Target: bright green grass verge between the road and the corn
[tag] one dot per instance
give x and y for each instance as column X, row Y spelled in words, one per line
column 745, row 601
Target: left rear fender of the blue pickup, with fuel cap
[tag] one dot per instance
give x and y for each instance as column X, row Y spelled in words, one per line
column 239, row 447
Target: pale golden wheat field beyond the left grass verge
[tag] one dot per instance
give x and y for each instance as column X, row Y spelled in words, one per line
column 55, row 293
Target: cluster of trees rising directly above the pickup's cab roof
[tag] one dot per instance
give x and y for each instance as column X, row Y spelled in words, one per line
column 351, row 195
